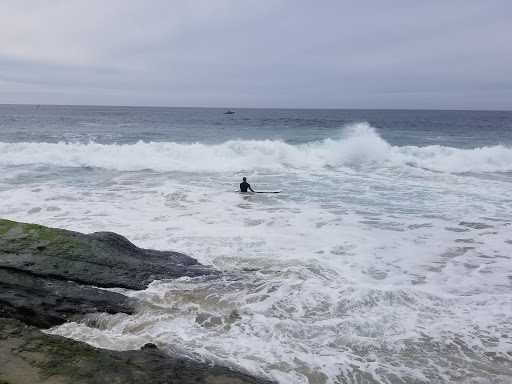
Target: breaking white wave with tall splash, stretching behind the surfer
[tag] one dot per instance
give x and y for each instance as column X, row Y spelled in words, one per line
column 358, row 144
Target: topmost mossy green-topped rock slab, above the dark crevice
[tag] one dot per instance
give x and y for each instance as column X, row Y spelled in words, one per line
column 102, row 259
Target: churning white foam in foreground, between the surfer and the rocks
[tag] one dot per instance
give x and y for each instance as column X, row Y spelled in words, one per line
column 311, row 288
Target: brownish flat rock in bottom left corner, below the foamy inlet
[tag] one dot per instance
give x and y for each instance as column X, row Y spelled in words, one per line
column 30, row 356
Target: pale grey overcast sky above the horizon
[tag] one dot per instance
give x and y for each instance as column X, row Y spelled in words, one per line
column 437, row 54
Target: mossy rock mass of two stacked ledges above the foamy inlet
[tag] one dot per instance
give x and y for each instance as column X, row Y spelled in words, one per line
column 48, row 276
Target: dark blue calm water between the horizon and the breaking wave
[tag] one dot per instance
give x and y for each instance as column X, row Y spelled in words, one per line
column 125, row 125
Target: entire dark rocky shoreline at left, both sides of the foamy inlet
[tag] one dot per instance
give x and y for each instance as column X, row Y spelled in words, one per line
column 51, row 276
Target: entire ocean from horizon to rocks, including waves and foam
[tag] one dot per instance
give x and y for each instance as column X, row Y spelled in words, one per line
column 386, row 258
